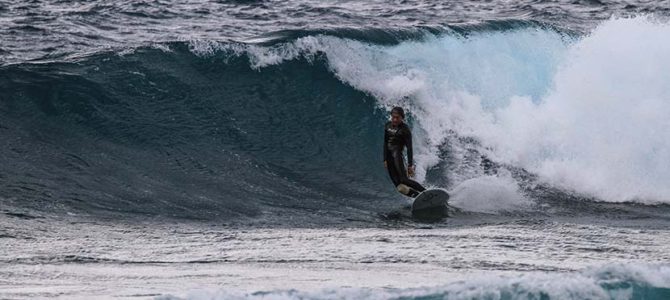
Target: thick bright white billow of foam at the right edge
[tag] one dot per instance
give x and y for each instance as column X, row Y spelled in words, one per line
column 604, row 128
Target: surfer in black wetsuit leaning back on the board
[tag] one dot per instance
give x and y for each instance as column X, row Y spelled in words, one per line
column 397, row 135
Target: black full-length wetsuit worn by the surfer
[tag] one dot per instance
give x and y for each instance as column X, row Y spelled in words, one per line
column 395, row 139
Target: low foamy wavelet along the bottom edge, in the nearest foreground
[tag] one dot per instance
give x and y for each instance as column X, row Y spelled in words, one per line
column 613, row 281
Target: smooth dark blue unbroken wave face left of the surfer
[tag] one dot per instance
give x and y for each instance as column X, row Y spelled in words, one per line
column 172, row 133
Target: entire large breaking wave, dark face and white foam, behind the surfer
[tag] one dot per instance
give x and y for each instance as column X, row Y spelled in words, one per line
column 205, row 129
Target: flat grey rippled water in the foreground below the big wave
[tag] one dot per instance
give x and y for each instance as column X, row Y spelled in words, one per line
column 511, row 260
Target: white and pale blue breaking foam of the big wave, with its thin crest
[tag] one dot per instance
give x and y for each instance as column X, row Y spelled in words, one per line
column 561, row 106
